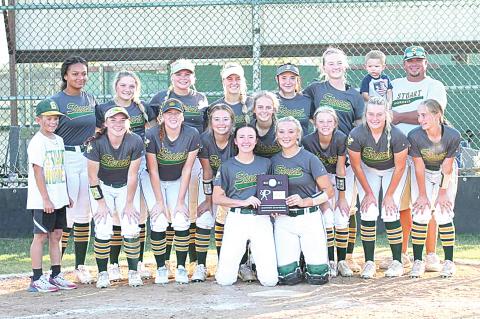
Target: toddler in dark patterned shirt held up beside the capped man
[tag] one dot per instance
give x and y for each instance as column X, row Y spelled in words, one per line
column 375, row 83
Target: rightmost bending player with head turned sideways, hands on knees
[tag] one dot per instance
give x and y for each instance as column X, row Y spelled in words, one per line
column 434, row 182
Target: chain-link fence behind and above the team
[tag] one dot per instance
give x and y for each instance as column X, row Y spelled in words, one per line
column 146, row 36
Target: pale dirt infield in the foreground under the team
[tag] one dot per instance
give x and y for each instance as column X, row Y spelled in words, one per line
column 428, row 297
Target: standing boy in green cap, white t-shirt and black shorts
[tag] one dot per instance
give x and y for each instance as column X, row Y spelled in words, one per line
column 47, row 198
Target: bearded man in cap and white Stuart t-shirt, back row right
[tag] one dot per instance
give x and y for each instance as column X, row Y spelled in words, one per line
column 408, row 93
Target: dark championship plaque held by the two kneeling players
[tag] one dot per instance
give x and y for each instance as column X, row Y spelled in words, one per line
column 272, row 190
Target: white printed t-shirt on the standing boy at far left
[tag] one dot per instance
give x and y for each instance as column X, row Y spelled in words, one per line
column 49, row 154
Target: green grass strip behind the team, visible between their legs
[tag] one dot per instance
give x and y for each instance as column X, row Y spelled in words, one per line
column 15, row 256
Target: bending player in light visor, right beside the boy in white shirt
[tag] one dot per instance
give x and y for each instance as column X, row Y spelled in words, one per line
column 114, row 157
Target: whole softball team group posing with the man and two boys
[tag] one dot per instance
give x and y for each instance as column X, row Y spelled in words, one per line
column 178, row 170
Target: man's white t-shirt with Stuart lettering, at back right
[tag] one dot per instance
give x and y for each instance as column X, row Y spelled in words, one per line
column 408, row 95
